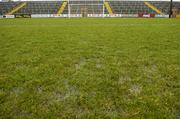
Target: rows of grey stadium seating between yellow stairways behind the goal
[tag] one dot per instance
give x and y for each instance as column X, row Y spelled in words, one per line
column 91, row 7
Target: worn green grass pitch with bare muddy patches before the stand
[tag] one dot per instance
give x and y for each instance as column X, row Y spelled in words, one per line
column 89, row 68
